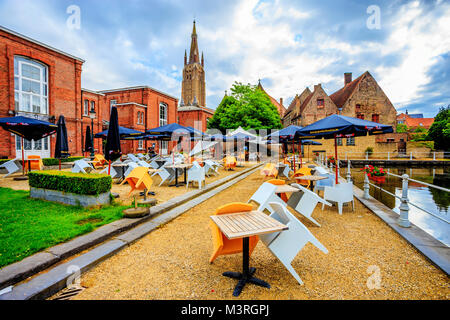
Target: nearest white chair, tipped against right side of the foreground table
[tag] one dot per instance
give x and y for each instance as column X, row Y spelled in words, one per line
column 285, row 245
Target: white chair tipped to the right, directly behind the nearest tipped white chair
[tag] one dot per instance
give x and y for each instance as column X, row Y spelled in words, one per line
column 305, row 201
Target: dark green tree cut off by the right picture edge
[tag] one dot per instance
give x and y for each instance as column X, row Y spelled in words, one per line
column 439, row 131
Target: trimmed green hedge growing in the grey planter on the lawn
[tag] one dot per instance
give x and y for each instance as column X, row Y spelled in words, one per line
column 79, row 183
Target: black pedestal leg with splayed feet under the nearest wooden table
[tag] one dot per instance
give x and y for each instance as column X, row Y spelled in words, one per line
column 247, row 273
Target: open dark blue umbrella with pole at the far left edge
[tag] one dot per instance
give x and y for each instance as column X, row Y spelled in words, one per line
column 28, row 128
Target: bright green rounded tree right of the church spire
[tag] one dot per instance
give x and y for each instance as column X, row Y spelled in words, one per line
column 247, row 107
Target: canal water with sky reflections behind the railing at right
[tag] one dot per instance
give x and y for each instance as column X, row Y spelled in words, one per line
column 431, row 199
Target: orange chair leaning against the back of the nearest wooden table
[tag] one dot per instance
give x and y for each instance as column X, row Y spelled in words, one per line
column 222, row 245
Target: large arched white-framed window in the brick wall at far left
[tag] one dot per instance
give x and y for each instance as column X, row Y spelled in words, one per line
column 30, row 86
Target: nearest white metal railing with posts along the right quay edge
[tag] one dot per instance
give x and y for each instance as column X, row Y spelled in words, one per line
column 403, row 220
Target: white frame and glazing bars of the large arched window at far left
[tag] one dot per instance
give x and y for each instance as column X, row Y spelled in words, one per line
column 20, row 95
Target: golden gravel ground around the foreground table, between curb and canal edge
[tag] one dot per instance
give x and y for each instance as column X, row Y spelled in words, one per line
column 172, row 262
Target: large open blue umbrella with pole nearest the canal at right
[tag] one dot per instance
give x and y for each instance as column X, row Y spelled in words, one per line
column 338, row 126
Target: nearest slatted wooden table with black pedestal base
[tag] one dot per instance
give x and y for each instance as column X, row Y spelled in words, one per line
column 244, row 225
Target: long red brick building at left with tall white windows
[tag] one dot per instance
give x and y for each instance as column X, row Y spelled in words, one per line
column 42, row 82
